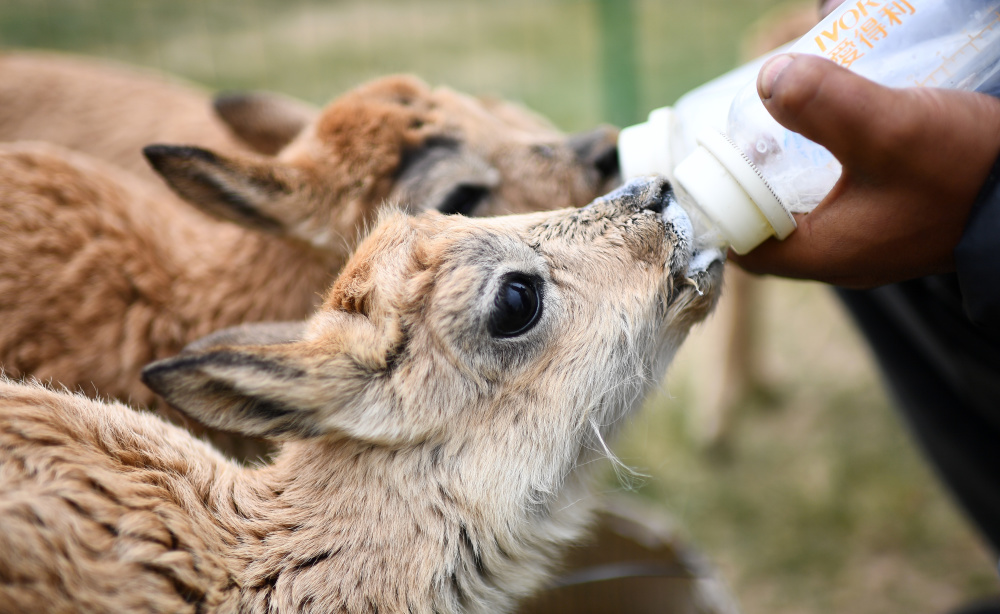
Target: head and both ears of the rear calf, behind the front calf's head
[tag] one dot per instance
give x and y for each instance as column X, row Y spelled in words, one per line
column 392, row 139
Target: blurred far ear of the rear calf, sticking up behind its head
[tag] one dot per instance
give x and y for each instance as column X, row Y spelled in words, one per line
column 265, row 121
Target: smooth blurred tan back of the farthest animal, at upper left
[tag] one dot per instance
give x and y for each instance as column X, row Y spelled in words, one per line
column 105, row 109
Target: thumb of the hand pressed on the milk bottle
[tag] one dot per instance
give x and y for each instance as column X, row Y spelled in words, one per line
column 827, row 103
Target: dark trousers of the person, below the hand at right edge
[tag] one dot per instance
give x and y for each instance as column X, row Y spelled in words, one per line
column 945, row 377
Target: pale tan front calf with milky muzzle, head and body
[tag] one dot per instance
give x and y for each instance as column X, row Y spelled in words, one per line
column 429, row 465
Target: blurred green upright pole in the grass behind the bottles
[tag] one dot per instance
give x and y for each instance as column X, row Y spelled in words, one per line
column 619, row 83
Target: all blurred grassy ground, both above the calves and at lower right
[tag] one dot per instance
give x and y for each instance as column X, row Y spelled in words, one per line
column 820, row 502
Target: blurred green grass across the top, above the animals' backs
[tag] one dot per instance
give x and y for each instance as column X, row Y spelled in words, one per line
column 546, row 53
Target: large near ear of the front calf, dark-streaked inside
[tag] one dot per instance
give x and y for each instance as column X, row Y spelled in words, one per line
column 331, row 382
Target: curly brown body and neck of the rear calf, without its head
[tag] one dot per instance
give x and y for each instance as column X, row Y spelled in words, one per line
column 96, row 280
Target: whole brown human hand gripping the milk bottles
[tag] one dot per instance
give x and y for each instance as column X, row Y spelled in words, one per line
column 913, row 161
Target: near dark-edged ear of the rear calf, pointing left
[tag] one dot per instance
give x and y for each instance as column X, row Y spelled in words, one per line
column 249, row 191
